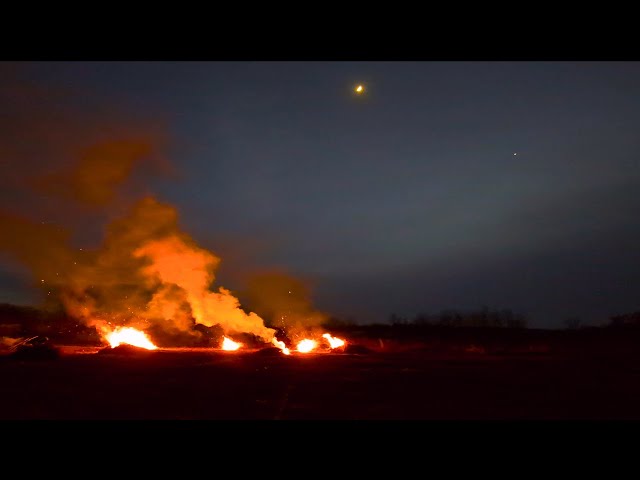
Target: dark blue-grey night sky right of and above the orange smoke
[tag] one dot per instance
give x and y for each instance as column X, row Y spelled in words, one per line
column 446, row 185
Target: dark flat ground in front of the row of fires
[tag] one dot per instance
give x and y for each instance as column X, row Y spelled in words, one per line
column 410, row 384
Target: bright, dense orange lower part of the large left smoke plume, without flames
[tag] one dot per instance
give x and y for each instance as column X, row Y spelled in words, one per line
column 147, row 268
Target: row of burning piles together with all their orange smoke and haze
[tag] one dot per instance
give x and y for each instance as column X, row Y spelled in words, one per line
column 146, row 283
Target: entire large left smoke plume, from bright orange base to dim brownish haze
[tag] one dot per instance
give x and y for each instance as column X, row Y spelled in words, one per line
column 145, row 271
